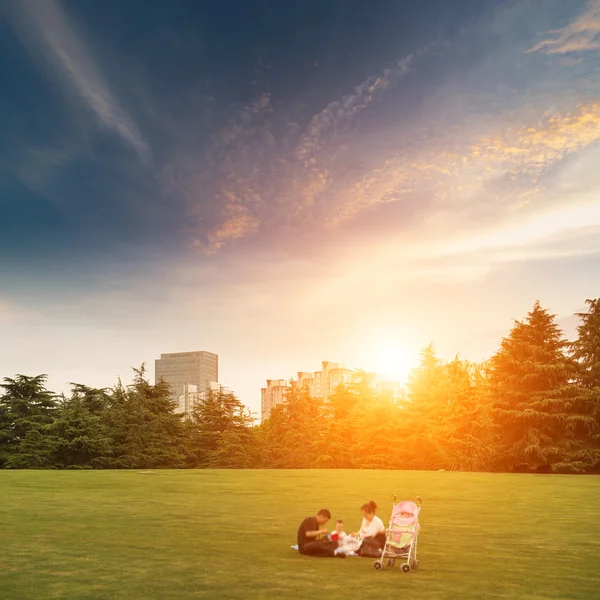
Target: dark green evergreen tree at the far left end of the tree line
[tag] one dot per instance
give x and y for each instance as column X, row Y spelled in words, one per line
column 26, row 410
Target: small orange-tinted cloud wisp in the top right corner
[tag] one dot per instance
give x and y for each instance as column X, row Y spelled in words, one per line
column 581, row 35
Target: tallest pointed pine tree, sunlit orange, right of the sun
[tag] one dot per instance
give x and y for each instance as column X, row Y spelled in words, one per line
column 535, row 400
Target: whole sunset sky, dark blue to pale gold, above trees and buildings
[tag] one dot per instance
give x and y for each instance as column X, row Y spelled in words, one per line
column 284, row 183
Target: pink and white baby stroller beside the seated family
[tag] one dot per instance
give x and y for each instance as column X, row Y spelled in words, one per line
column 401, row 537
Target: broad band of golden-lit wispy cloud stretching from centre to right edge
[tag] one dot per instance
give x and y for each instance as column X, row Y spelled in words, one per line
column 474, row 165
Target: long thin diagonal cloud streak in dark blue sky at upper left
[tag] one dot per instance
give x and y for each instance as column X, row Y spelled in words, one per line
column 45, row 27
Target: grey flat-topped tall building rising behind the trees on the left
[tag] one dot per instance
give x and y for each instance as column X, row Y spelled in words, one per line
column 181, row 369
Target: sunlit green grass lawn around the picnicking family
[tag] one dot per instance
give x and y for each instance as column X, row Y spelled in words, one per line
column 226, row 534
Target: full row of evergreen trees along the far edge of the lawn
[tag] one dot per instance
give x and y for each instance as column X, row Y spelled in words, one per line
column 534, row 406
